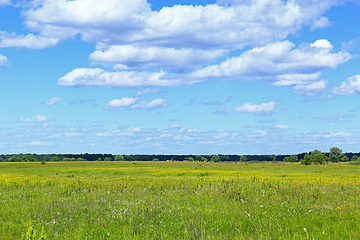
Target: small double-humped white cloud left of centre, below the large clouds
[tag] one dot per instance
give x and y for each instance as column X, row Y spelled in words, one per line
column 134, row 103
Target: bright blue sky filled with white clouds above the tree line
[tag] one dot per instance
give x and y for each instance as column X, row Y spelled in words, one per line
column 179, row 76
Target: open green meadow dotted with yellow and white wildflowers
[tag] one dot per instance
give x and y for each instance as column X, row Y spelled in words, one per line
column 180, row 200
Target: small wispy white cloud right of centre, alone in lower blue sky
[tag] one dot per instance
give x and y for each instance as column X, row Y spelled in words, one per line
column 251, row 108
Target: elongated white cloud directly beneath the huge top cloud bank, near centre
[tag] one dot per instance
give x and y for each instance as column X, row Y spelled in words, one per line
column 129, row 57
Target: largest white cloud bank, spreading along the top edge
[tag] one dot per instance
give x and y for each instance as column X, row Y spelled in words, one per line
column 211, row 26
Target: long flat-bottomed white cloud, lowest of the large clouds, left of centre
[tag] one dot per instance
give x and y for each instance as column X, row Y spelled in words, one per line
column 94, row 77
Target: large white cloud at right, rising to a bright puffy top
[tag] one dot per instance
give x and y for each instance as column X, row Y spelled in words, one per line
column 278, row 61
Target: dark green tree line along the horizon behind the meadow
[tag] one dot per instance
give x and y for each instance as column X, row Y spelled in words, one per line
column 317, row 157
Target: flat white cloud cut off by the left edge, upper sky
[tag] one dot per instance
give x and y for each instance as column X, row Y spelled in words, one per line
column 29, row 41
